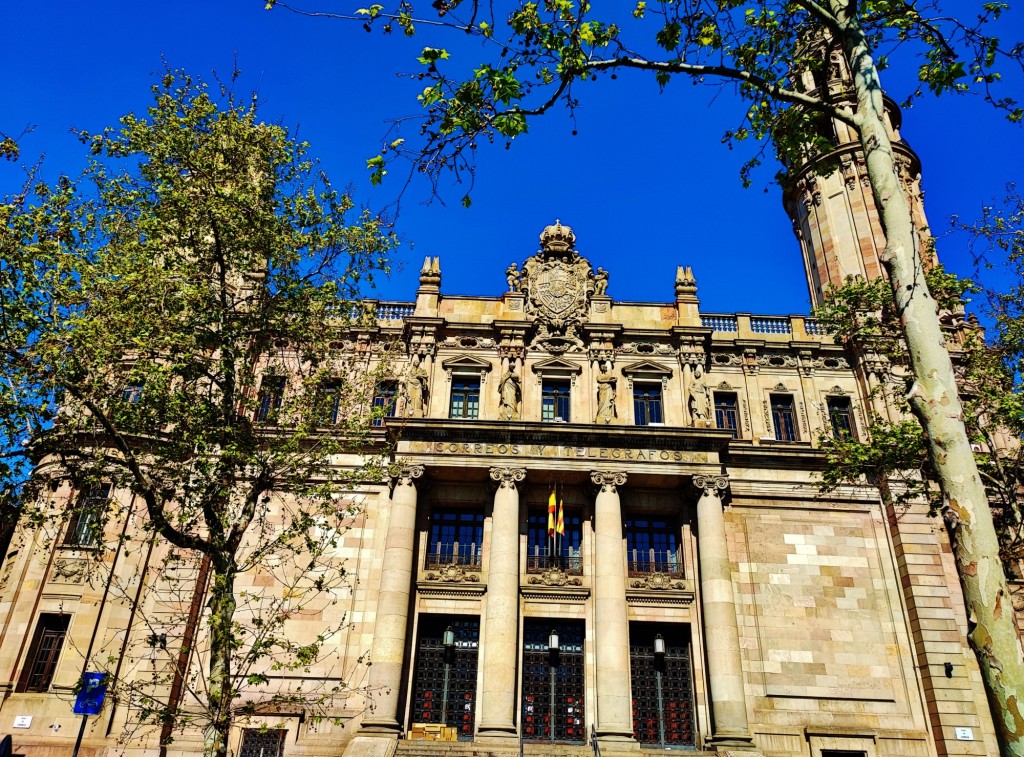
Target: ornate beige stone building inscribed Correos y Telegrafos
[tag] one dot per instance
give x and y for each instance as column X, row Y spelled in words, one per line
column 606, row 527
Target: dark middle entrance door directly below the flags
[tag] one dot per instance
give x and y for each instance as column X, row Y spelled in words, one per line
column 553, row 684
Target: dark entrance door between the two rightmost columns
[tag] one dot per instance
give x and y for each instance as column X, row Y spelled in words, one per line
column 676, row 706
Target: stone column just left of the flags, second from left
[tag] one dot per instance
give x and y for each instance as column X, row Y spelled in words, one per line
column 501, row 618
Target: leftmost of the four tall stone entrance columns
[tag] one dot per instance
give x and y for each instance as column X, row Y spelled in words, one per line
column 392, row 622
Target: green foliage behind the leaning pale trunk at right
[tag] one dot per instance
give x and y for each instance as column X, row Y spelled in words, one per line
column 893, row 454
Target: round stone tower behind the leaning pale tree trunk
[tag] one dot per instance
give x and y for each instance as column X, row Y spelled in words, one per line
column 833, row 212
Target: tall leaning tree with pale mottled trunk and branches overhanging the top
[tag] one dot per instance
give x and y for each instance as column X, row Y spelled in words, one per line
column 550, row 51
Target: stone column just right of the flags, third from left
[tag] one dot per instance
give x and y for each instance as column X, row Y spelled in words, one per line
column 612, row 632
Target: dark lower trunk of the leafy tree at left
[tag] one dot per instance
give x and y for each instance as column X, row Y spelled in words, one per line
column 222, row 698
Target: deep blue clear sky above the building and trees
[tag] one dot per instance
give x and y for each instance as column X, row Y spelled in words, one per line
column 646, row 184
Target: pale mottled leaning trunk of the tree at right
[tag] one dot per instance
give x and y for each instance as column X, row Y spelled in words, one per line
column 935, row 401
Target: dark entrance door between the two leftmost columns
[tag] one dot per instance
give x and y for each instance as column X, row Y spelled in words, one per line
column 434, row 702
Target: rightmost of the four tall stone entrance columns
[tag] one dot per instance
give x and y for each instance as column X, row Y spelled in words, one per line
column 726, row 671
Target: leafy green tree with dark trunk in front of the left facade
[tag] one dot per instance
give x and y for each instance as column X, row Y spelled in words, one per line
column 166, row 328
